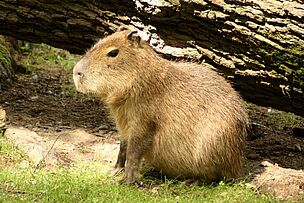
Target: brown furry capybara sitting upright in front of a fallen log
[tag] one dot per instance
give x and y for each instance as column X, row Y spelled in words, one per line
column 182, row 118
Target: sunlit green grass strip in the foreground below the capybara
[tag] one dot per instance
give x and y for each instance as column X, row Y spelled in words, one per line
column 87, row 183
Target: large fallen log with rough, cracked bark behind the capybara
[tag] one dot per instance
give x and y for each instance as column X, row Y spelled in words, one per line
column 257, row 44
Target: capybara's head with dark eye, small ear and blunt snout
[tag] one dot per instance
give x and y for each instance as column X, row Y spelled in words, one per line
column 111, row 65
